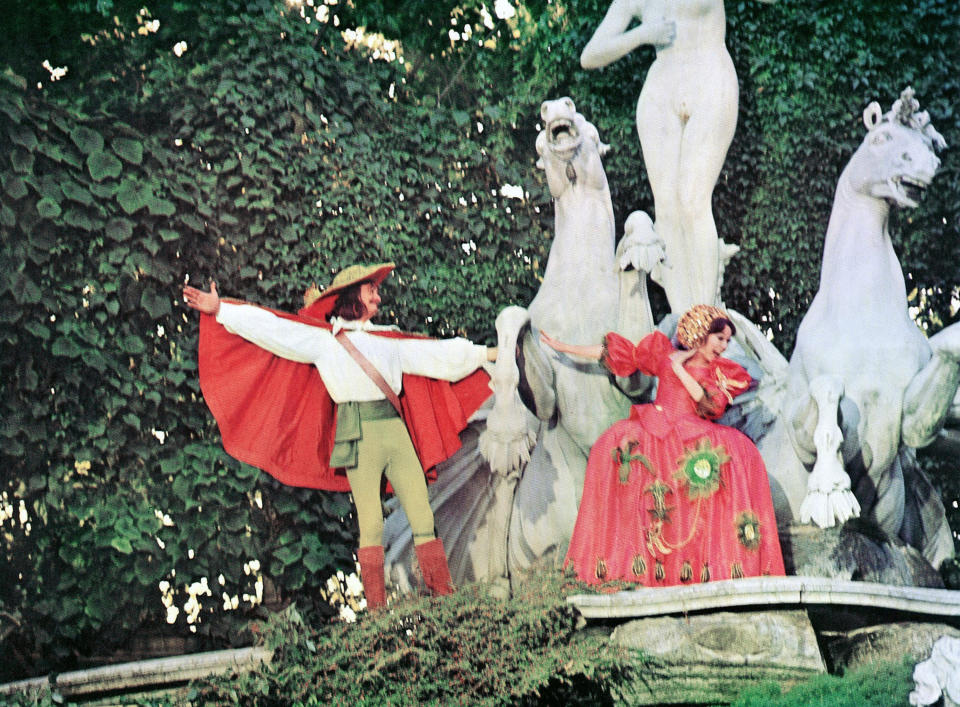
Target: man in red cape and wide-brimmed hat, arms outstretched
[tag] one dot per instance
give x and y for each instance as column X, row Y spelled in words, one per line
column 283, row 390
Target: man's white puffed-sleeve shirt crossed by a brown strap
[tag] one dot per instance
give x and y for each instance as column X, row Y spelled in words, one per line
column 446, row 359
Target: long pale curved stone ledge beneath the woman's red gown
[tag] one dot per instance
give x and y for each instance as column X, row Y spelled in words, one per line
column 769, row 592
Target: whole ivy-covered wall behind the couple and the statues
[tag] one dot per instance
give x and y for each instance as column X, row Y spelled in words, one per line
column 270, row 155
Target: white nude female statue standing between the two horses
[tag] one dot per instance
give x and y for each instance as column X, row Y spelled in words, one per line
column 686, row 117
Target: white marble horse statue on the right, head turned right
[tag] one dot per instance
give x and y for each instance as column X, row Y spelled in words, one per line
column 865, row 386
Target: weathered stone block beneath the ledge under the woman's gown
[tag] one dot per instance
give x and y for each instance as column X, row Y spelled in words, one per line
column 712, row 658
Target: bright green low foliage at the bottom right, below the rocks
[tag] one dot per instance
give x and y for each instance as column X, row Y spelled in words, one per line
column 876, row 685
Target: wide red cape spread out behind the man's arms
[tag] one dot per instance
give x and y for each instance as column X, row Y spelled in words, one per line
column 276, row 414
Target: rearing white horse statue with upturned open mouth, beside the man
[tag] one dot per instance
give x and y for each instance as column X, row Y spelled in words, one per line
column 510, row 496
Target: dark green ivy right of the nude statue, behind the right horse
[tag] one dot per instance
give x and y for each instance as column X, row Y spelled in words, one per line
column 806, row 74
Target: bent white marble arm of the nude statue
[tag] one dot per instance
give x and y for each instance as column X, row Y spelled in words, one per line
column 612, row 40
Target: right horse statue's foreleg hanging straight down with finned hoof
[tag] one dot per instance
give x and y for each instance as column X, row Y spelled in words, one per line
column 829, row 498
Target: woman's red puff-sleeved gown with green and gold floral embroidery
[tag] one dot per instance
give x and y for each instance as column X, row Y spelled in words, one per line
column 670, row 497
